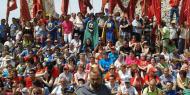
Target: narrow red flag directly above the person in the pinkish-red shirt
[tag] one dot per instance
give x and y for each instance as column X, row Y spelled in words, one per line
column 64, row 7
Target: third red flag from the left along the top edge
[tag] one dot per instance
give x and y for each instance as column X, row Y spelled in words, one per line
column 37, row 6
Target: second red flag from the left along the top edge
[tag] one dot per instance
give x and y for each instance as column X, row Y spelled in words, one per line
column 24, row 10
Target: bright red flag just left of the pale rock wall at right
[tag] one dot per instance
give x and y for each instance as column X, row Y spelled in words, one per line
column 156, row 6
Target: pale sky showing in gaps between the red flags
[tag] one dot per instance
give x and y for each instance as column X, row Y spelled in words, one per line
column 73, row 7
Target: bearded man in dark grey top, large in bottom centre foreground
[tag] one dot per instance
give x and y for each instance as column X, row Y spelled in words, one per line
column 94, row 86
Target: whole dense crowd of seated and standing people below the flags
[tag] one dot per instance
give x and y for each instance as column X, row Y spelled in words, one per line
column 94, row 54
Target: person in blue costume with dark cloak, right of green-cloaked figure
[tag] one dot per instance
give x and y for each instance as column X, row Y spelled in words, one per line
column 110, row 31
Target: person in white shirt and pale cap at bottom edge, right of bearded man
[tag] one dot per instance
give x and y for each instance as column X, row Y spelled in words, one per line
column 127, row 89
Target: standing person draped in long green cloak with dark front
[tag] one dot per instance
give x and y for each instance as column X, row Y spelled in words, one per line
column 91, row 31
